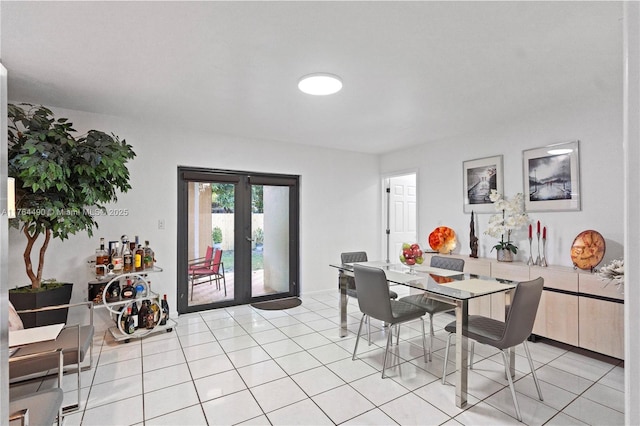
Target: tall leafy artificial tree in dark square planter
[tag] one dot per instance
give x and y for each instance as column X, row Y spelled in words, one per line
column 62, row 180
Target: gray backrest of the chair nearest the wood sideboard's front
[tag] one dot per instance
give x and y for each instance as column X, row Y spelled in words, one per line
column 522, row 313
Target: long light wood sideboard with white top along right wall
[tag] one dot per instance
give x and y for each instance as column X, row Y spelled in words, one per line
column 576, row 307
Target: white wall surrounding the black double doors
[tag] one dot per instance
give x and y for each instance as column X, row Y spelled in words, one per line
column 338, row 208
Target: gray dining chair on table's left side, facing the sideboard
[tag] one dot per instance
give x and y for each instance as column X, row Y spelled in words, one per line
column 374, row 302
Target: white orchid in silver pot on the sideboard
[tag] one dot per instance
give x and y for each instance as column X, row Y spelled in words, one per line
column 510, row 218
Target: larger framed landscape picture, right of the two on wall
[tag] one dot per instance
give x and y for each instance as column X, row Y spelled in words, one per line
column 552, row 178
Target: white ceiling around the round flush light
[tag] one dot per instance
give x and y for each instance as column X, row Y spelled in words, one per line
column 413, row 72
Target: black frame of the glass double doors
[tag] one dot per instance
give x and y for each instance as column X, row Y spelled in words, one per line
column 242, row 245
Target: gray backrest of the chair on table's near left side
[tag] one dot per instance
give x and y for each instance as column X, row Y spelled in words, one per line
column 373, row 292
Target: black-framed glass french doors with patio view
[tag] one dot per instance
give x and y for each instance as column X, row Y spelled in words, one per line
column 237, row 238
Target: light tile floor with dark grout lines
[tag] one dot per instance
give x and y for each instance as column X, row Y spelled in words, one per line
column 241, row 365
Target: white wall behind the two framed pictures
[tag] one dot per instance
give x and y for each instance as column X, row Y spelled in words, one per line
column 597, row 123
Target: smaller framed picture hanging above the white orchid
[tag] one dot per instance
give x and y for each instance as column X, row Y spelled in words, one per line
column 479, row 177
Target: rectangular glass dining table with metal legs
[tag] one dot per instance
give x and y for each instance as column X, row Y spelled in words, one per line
column 444, row 285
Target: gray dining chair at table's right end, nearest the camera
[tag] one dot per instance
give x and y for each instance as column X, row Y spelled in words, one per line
column 505, row 335
